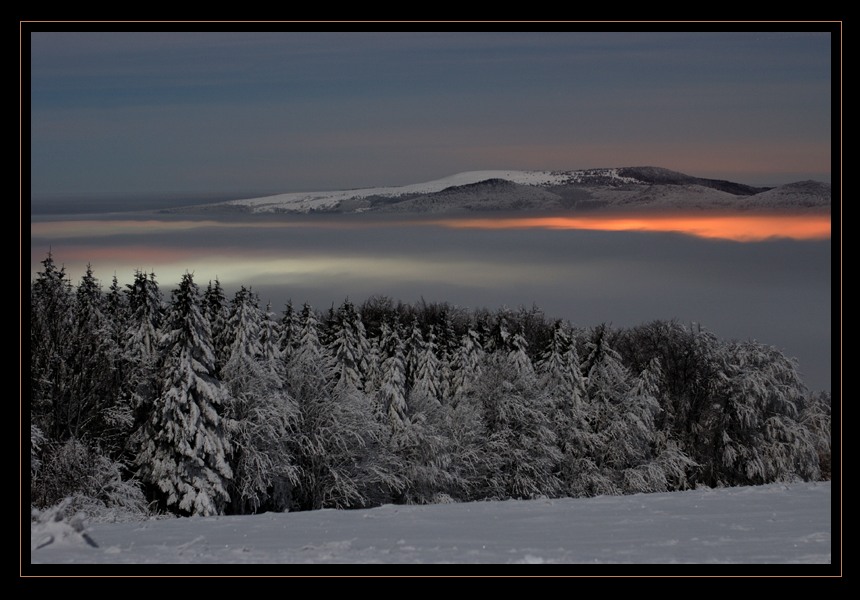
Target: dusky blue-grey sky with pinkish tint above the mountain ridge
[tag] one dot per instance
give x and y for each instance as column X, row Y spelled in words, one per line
column 222, row 113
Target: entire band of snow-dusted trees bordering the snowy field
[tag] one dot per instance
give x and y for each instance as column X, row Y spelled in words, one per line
column 196, row 404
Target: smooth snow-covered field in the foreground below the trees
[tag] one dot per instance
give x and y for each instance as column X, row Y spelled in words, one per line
column 773, row 524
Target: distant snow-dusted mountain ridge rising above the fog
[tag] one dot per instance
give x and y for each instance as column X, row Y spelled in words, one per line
column 579, row 190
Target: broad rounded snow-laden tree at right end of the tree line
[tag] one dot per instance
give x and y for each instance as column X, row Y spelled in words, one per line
column 753, row 426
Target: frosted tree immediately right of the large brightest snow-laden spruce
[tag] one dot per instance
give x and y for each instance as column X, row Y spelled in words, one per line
column 259, row 415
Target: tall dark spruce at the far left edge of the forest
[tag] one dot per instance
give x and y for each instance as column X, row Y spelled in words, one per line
column 51, row 302
